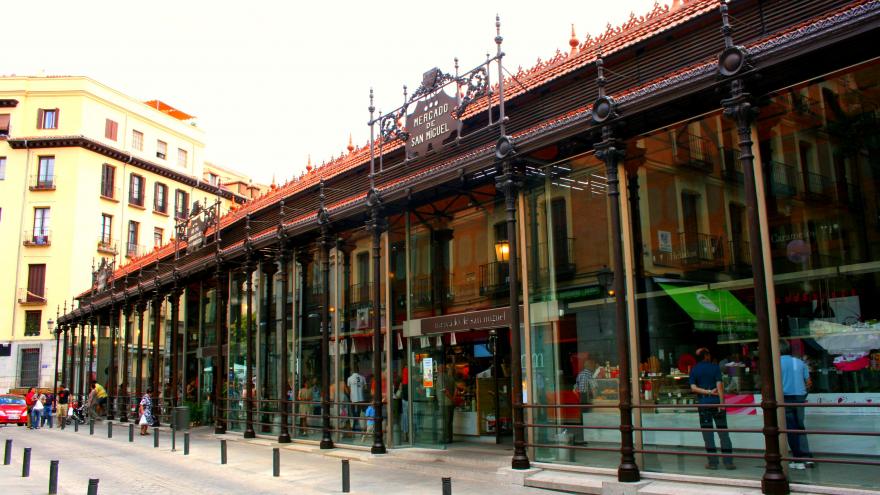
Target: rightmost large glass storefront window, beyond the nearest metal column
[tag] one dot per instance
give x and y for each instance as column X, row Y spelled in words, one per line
column 821, row 156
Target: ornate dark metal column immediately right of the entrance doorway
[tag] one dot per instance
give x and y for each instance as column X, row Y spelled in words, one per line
column 510, row 182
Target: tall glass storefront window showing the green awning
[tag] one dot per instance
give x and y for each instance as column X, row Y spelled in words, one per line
column 695, row 295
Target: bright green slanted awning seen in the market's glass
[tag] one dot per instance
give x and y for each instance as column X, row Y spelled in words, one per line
column 711, row 309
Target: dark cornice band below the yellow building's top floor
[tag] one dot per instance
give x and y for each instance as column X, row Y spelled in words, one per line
column 121, row 156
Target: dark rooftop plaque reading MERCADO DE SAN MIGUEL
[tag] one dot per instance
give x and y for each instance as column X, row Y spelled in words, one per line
column 432, row 119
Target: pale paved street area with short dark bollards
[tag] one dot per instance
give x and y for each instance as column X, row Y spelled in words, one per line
column 127, row 468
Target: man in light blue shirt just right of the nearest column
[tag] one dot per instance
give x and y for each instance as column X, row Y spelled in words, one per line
column 795, row 384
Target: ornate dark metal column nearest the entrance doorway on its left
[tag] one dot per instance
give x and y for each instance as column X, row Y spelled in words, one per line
column 375, row 225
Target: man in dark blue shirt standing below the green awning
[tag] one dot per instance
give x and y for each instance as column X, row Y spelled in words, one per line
column 706, row 383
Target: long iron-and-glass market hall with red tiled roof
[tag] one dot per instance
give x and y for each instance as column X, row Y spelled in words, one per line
column 535, row 259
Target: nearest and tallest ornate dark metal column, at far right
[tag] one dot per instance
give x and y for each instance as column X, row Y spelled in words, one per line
column 733, row 63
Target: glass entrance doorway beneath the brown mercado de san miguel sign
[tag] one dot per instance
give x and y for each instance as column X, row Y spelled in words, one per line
column 459, row 388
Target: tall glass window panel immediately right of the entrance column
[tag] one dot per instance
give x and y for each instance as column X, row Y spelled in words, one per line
column 572, row 312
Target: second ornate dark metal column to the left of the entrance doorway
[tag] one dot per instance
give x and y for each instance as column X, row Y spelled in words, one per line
column 326, row 243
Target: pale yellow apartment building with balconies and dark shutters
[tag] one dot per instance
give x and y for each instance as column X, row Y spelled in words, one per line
column 86, row 174
